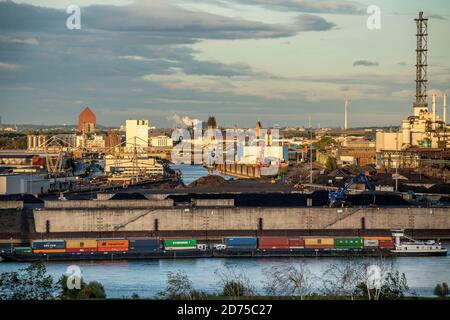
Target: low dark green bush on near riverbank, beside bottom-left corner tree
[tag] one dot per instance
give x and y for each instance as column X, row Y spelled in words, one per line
column 91, row 290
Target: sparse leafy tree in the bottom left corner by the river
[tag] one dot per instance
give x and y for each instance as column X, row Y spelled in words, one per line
column 30, row 283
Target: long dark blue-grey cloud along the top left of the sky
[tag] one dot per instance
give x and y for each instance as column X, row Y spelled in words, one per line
column 156, row 18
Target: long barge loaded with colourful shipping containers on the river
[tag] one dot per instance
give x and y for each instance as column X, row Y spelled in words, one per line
column 232, row 247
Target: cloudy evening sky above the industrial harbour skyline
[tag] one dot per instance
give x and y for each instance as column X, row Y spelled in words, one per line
column 277, row 61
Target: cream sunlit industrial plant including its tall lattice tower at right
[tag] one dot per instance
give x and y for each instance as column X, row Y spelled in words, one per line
column 422, row 138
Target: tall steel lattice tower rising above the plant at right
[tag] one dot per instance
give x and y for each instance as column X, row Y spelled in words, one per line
column 422, row 61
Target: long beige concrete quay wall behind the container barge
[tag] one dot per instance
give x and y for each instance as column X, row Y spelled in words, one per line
column 217, row 218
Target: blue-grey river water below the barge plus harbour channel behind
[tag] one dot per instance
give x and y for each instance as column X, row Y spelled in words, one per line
column 147, row 278
